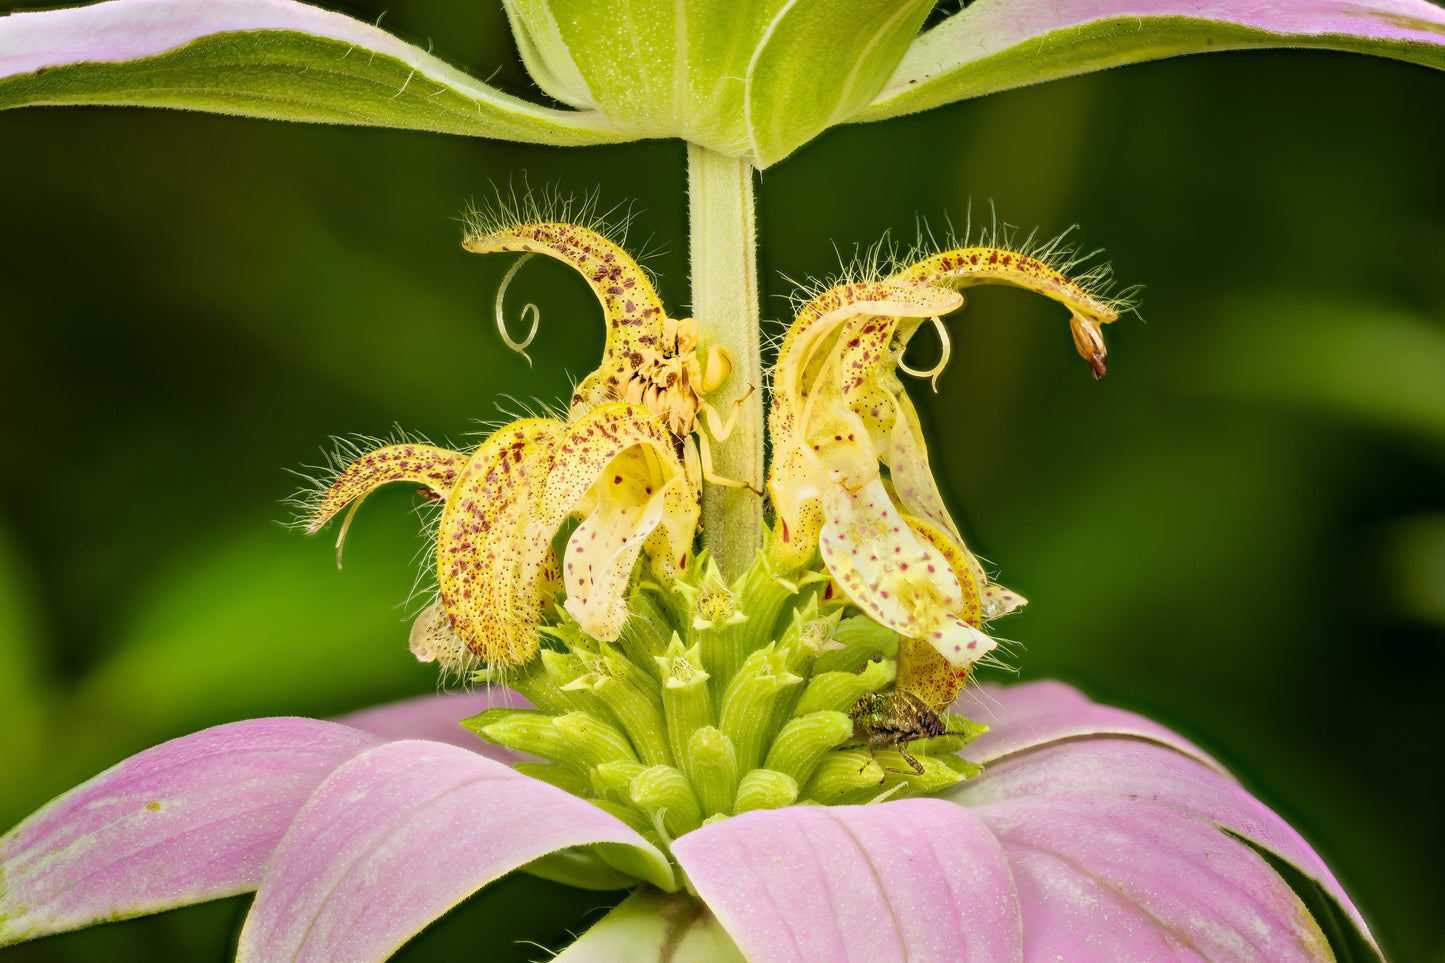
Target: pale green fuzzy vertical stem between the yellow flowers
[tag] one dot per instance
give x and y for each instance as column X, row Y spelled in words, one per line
column 723, row 254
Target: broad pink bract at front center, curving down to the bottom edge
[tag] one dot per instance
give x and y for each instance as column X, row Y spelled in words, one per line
column 918, row 880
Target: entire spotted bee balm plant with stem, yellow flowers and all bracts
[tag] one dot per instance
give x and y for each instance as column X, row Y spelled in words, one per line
column 762, row 724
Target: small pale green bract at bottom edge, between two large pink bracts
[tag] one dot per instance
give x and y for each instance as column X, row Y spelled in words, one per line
column 652, row 926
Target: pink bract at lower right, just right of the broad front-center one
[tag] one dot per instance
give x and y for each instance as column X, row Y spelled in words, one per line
column 1109, row 878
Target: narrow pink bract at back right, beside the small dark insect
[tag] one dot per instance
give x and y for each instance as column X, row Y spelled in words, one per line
column 1037, row 714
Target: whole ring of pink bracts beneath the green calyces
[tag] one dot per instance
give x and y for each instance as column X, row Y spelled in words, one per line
column 1093, row 835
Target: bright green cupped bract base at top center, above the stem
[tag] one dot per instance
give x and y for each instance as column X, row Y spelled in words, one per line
column 755, row 79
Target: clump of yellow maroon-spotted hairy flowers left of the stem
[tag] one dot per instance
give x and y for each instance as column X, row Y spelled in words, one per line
column 618, row 465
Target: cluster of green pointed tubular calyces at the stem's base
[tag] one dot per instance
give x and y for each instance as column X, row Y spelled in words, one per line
column 720, row 699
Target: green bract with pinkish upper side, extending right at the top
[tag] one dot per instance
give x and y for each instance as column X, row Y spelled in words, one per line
column 995, row 46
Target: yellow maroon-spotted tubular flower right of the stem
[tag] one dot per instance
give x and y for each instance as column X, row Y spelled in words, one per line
column 840, row 417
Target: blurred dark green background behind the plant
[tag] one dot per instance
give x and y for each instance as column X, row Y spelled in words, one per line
column 1241, row 531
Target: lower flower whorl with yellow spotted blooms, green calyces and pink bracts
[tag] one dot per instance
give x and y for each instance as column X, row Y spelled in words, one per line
column 781, row 767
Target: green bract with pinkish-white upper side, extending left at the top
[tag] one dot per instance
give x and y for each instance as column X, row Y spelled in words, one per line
column 262, row 59
